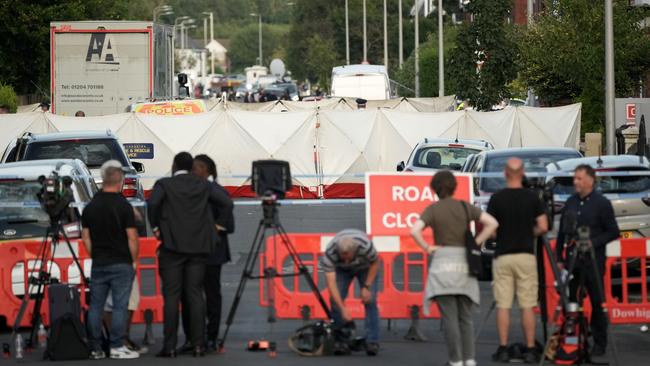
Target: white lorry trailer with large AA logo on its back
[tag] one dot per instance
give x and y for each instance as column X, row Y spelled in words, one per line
column 102, row 67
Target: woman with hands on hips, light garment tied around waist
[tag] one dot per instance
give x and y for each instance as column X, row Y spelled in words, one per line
column 449, row 282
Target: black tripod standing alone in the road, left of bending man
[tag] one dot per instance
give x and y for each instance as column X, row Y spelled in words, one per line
column 270, row 221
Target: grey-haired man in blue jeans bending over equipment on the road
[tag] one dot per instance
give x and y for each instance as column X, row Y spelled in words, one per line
column 349, row 255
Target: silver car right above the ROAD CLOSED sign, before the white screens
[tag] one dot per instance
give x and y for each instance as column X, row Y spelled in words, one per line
column 434, row 154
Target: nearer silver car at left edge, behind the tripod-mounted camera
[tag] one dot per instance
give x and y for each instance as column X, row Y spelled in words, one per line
column 21, row 215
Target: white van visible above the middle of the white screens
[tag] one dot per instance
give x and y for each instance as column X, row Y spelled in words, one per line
column 369, row 82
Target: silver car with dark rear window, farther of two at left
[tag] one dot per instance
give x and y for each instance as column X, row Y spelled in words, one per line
column 93, row 148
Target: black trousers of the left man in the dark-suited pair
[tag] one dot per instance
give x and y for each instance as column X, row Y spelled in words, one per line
column 182, row 277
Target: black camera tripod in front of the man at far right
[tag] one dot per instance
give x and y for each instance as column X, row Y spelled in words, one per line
column 579, row 252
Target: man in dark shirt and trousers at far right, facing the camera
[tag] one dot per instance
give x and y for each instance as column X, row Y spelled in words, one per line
column 587, row 208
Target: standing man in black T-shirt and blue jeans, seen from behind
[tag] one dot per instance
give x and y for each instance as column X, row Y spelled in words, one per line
column 110, row 236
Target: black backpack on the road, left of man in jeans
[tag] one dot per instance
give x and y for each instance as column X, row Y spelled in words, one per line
column 67, row 340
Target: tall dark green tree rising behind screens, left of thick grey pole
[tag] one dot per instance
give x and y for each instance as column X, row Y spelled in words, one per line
column 483, row 63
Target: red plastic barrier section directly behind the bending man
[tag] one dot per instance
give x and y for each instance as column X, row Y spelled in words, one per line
column 396, row 296
